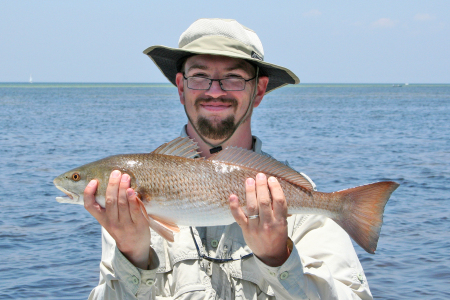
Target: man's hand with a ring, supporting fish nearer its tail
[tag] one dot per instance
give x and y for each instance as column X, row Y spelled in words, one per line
column 266, row 235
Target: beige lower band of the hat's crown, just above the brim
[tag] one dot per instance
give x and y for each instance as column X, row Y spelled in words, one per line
column 220, row 45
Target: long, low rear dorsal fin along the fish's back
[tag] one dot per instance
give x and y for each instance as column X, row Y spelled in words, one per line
column 263, row 164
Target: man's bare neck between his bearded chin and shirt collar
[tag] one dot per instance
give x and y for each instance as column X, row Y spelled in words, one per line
column 241, row 138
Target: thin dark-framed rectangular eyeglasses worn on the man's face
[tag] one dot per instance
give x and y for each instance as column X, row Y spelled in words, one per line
column 226, row 84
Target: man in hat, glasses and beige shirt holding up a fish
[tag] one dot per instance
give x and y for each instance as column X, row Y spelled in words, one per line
column 221, row 76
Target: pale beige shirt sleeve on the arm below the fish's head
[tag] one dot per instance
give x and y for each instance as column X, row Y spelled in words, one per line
column 119, row 278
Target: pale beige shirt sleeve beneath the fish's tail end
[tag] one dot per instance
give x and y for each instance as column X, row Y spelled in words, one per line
column 323, row 263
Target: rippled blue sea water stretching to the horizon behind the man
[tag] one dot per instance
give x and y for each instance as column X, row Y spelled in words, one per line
column 340, row 135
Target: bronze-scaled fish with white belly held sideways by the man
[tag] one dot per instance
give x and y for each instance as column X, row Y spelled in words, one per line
column 176, row 187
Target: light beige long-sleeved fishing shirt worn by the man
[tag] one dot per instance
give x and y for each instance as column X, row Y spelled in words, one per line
column 322, row 265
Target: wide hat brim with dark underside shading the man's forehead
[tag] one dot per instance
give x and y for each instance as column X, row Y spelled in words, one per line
column 166, row 59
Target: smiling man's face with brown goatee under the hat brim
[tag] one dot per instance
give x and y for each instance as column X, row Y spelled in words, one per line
column 215, row 112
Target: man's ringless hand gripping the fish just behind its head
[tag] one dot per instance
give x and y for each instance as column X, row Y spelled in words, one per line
column 122, row 218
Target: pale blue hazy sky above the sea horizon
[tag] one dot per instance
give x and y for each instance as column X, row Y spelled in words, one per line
column 402, row 41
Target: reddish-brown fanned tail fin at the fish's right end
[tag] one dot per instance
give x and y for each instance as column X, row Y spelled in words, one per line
column 363, row 212
